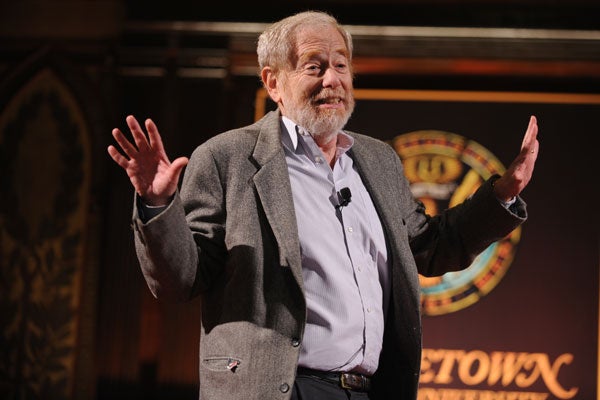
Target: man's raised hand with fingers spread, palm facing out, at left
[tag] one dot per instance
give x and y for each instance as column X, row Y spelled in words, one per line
column 152, row 175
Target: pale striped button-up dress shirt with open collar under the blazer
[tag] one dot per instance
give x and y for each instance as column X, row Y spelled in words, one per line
column 344, row 257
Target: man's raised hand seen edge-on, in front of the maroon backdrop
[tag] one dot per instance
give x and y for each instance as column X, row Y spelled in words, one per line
column 520, row 171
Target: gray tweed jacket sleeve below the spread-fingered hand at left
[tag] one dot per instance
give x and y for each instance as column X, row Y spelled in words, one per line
column 179, row 249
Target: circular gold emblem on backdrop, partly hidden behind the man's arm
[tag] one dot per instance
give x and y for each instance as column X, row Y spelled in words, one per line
column 443, row 170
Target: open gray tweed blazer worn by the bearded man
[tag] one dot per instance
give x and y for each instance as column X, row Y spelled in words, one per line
column 230, row 236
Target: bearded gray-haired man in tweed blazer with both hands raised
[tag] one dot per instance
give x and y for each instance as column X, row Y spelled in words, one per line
column 303, row 240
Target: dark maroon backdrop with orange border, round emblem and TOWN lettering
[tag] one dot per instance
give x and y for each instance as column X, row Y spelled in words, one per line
column 522, row 322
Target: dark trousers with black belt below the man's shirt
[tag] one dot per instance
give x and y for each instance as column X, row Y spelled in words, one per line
column 312, row 388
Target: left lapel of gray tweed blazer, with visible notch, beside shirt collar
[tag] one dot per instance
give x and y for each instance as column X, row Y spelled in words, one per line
column 272, row 183
